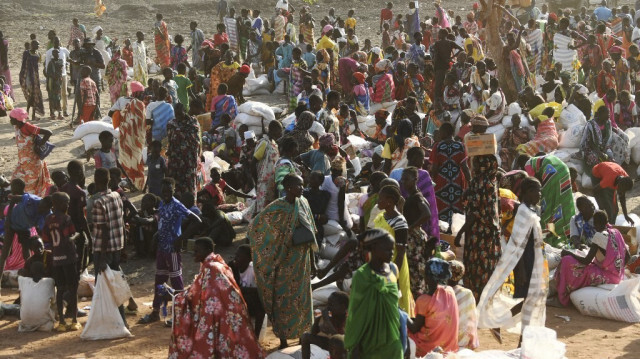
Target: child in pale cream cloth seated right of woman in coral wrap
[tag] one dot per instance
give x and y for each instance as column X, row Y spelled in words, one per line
column 467, row 316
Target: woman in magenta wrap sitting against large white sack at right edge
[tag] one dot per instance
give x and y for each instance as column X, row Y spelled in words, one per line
column 604, row 264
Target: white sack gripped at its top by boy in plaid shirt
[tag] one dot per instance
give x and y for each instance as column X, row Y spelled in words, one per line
column 104, row 320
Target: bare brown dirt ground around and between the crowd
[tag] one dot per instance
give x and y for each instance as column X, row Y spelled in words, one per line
column 585, row 337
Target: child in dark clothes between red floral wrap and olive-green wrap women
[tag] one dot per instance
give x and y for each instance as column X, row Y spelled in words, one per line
column 243, row 273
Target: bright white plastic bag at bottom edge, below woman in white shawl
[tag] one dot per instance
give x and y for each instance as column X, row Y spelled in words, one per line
column 541, row 343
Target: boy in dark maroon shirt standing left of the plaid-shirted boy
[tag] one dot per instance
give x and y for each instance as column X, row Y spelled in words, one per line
column 59, row 229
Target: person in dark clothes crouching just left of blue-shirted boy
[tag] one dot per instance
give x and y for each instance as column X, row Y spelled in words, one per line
column 144, row 225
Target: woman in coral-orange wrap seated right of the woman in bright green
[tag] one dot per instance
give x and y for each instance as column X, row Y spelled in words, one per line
column 436, row 321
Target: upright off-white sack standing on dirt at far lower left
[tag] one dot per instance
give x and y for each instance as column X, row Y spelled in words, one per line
column 35, row 304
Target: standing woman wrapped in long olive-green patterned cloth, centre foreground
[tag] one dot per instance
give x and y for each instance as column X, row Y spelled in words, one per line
column 282, row 268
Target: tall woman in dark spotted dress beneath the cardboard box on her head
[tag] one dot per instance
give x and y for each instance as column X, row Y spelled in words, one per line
column 482, row 226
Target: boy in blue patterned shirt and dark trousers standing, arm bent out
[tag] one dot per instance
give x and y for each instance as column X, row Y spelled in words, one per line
column 170, row 238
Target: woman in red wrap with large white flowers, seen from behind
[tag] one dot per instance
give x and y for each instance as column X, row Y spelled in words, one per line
column 211, row 318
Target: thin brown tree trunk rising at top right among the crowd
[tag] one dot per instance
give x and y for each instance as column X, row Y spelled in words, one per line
column 494, row 46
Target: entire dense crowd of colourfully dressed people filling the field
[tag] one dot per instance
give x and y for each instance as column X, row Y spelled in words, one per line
column 425, row 93
